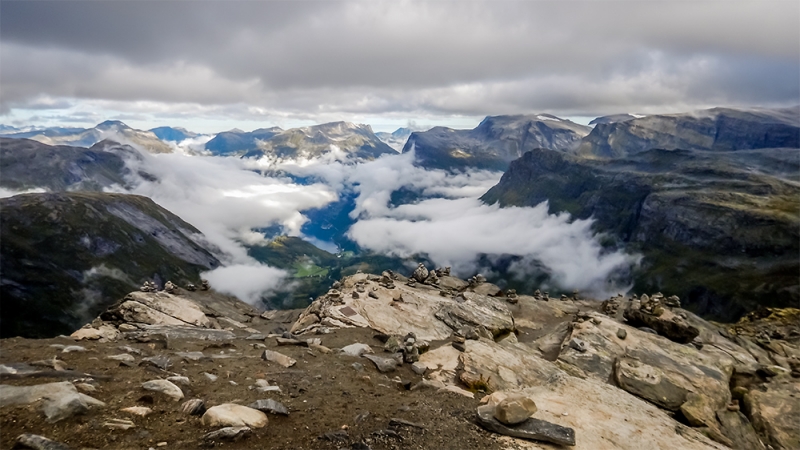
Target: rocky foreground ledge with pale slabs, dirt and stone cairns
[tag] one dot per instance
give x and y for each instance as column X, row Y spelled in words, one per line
column 389, row 362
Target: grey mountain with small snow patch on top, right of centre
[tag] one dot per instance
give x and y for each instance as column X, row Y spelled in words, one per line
column 494, row 143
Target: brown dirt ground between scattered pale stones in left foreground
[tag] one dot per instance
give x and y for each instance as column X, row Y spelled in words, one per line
column 323, row 392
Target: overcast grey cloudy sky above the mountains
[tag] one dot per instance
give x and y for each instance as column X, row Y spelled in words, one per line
column 215, row 65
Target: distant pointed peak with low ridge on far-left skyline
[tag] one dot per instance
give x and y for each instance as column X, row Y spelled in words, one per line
column 113, row 130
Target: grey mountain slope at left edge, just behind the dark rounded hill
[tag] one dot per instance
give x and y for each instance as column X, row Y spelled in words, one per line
column 27, row 164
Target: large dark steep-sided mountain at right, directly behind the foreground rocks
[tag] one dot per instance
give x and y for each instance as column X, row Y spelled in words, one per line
column 722, row 230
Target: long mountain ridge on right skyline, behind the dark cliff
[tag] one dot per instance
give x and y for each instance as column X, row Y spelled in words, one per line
column 718, row 129
